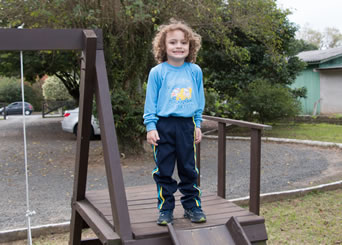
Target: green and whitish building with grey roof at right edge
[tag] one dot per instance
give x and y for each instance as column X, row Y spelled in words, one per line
column 323, row 80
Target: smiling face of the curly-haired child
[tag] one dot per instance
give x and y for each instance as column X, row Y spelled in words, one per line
column 177, row 47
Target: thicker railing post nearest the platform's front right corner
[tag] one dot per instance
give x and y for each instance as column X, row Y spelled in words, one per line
column 254, row 190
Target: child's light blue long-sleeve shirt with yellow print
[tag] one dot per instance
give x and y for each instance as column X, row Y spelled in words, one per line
column 174, row 91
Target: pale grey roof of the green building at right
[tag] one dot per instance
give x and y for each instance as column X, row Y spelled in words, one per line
column 320, row 56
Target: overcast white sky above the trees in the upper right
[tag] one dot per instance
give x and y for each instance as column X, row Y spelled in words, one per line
column 317, row 14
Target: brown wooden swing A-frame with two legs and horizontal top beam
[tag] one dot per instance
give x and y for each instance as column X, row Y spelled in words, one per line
column 93, row 79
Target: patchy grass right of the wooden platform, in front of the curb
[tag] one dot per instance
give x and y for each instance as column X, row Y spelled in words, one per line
column 313, row 219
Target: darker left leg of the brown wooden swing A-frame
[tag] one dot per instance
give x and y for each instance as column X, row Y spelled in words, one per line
column 83, row 131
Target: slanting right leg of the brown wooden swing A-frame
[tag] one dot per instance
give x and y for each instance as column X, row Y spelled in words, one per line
column 111, row 154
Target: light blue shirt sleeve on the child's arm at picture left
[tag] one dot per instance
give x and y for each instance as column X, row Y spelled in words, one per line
column 150, row 109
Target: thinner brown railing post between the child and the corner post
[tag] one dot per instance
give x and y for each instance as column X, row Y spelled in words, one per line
column 221, row 163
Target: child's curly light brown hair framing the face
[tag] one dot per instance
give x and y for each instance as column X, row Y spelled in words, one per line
column 159, row 45
